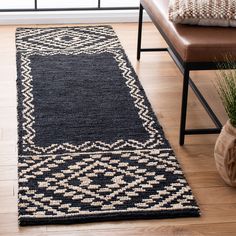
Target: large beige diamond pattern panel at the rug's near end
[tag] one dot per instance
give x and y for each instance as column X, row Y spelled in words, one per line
column 68, row 184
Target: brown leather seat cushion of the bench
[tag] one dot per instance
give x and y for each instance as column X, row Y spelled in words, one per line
column 192, row 43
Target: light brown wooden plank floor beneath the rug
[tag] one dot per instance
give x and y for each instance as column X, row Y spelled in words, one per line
column 162, row 82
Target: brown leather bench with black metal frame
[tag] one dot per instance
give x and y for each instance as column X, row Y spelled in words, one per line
column 191, row 48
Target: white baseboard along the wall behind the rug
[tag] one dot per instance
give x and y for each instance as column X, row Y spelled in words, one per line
column 72, row 17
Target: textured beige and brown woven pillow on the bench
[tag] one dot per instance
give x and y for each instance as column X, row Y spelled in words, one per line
column 203, row 12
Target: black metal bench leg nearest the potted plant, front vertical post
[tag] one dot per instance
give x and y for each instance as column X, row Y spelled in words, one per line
column 184, row 106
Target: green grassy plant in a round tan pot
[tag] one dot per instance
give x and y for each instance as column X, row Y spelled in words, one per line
column 225, row 147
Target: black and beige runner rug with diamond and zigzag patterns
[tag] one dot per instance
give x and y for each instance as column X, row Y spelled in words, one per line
column 90, row 147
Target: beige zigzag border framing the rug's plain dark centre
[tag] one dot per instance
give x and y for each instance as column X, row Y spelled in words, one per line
column 114, row 47
